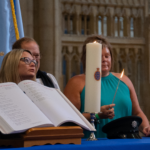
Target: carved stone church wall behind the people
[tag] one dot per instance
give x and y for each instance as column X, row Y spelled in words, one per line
column 61, row 26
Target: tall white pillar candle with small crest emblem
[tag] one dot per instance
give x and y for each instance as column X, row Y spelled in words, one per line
column 93, row 77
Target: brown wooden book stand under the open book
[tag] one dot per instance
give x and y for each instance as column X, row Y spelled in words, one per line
column 42, row 136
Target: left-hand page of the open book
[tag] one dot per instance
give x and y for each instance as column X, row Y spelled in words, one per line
column 17, row 110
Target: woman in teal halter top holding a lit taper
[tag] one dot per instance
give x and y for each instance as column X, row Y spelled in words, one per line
column 126, row 102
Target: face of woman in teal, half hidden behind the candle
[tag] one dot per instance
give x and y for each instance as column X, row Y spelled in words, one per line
column 106, row 61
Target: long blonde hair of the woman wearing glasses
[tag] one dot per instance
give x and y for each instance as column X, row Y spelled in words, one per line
column 9, row 69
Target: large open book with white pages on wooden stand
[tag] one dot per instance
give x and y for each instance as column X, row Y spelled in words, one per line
column 30, row 104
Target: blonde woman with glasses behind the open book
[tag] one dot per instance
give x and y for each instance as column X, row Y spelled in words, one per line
column 18, row 65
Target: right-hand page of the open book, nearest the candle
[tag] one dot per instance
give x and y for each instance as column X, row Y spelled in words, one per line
column 52, row 104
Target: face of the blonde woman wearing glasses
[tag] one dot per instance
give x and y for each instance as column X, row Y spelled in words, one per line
column 26, row 71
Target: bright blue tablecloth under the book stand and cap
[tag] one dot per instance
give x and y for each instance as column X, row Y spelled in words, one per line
column 101, row 144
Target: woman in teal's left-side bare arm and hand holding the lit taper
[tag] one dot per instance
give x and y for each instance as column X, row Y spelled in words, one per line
column 73, row 90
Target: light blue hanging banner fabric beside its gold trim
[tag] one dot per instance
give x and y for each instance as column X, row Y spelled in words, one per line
column 7, row 30
